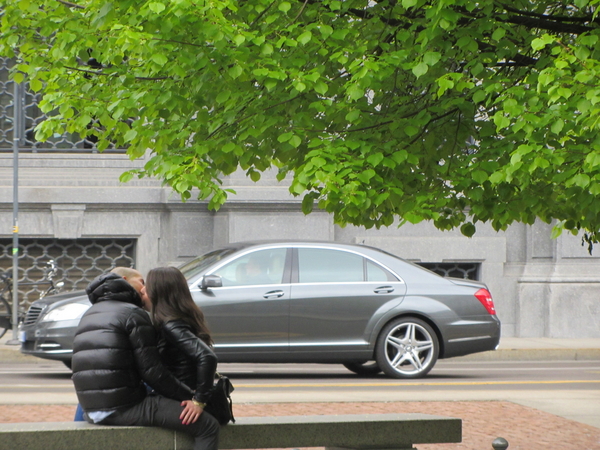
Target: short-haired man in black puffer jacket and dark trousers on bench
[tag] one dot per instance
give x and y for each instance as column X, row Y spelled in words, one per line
column 115, row 356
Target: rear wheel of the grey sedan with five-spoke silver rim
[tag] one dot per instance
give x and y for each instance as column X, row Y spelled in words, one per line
column 407, row 348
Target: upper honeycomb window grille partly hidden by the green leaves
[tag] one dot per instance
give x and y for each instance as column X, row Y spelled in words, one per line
column 30, row 115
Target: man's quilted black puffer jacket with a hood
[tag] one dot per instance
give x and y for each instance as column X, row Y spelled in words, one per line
column 115, row 350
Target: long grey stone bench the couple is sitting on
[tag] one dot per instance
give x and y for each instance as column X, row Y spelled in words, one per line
column 369, row 431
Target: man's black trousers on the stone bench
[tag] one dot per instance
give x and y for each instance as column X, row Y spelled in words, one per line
column 158, row 411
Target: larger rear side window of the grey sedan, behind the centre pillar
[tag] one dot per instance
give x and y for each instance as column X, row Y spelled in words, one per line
column 317, row 265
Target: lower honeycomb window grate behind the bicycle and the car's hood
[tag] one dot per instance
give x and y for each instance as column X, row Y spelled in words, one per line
column 78, row 261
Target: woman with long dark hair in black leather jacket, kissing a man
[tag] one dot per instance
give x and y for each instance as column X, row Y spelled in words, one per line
column 185, row 343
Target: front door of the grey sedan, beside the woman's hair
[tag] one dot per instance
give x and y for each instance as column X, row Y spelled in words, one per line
column 248, row 315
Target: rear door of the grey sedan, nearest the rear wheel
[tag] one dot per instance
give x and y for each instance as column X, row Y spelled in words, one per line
column 336, row 297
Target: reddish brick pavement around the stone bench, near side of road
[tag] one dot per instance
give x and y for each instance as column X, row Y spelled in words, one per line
column 524, row 428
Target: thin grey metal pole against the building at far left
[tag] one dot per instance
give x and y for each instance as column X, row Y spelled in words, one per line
column 16, row 132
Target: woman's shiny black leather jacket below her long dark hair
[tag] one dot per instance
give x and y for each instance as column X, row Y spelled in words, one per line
column 188, row 357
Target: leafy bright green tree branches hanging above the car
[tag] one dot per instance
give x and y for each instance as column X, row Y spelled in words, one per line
column 452, row 111
